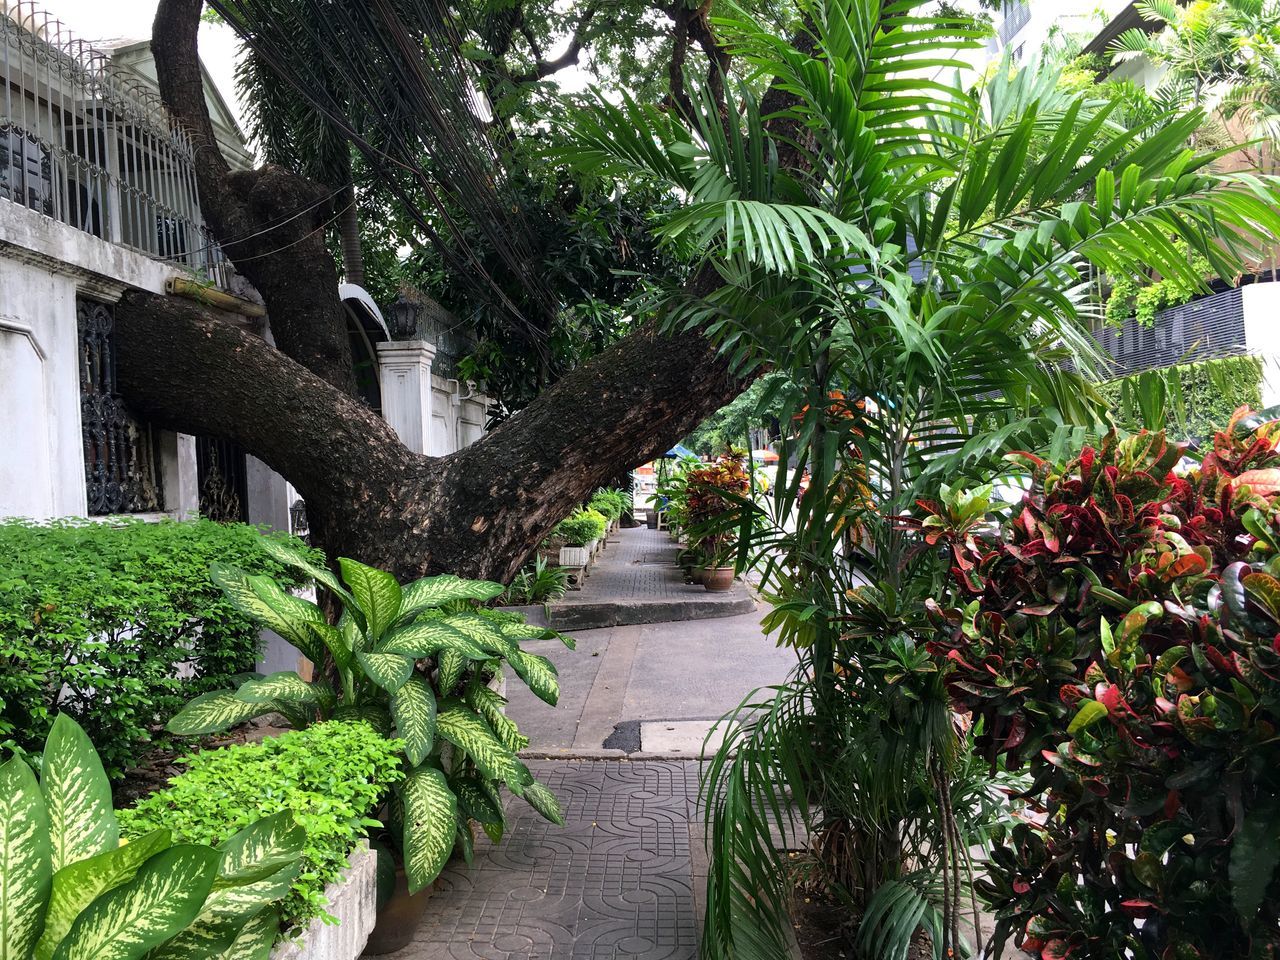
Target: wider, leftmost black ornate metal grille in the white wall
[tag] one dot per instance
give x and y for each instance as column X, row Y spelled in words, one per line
column 121, row 456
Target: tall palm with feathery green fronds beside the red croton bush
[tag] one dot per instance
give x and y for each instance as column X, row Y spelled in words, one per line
column 916, row 257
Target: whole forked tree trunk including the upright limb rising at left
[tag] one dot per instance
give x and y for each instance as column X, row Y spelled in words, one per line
column 479, row 513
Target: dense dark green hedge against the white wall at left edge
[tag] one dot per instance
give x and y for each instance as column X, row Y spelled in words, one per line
column 95, row 620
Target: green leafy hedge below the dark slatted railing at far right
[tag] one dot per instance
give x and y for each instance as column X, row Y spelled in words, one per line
column 1212, row 391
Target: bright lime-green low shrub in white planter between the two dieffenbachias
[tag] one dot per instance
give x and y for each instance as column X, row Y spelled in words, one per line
column 333, row 778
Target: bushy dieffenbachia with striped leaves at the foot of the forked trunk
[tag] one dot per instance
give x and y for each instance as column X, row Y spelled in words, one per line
column 415, row 661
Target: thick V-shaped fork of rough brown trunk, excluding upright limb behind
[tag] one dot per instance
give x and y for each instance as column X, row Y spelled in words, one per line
column 479, row 513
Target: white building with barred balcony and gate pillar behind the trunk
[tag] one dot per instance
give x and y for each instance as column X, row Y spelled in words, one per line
column 97, row 198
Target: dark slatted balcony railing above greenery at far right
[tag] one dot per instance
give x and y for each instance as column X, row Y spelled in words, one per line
column 1210, row 327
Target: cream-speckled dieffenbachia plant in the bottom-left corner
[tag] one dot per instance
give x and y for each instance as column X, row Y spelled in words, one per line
column 71, row 892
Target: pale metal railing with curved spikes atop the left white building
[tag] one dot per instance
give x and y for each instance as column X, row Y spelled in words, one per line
column 89, row 144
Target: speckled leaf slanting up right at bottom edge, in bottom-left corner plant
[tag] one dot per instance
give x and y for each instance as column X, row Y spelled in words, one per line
column 164, row 897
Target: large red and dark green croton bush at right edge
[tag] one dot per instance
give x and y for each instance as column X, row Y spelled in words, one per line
column 1119, row 637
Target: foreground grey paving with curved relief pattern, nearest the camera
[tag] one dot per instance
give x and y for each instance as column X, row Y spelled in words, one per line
column 615, row 884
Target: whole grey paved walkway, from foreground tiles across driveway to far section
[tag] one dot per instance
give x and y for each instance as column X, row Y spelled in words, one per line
column 627, row 876
